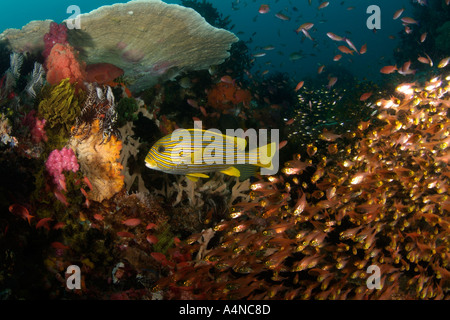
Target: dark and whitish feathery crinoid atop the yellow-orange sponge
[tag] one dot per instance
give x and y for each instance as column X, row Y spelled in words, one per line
column 99, row 105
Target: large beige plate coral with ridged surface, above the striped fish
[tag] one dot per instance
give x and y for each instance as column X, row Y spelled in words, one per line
column 140, row 54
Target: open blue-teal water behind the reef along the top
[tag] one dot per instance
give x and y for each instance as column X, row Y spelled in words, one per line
column 270, row 30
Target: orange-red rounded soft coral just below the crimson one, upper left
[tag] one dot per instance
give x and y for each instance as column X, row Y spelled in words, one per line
column 62, row 63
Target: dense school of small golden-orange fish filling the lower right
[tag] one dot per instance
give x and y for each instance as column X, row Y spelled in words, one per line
column 313, row 231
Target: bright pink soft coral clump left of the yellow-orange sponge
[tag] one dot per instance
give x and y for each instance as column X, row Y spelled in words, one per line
column 59, row 161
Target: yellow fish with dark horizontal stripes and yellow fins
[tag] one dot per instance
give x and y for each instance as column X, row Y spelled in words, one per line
column 195, row 152
